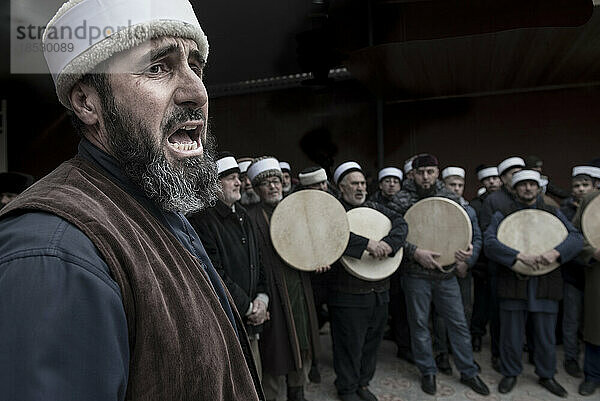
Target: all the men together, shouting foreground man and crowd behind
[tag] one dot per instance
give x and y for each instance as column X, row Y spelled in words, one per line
column 143, row 268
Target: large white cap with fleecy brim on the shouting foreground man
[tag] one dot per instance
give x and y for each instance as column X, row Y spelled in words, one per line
column 110, row 27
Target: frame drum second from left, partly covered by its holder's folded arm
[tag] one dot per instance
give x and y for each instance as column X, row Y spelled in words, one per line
column 374, row 225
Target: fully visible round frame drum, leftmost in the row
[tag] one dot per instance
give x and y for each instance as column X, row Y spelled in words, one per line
column 309, row 229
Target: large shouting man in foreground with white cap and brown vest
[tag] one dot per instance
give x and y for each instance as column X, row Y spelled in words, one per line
column 97, row 258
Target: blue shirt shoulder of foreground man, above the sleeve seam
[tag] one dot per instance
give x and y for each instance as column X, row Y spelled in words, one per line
column 44, row 236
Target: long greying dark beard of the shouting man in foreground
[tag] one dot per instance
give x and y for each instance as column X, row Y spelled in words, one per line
column 185, row 186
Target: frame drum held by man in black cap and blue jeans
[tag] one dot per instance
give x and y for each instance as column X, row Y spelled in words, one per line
column 440, row 225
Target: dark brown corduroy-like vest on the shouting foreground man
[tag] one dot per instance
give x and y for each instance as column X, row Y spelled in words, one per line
column 182, row 345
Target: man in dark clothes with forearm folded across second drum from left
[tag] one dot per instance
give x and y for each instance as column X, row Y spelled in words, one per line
column 358, row 308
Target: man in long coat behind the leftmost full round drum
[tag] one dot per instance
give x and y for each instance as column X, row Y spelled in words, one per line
column 291, row 340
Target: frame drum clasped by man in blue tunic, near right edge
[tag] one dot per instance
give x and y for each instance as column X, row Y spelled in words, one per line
column 532, row 231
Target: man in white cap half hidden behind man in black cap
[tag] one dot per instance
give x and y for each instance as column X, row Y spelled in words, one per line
column 454, row 179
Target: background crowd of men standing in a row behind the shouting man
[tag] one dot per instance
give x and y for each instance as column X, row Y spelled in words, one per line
column 433, row 314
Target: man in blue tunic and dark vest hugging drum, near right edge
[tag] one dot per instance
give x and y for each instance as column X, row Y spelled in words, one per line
column 535, row 298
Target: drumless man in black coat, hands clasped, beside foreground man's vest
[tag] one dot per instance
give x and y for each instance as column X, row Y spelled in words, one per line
column 229, row 238
